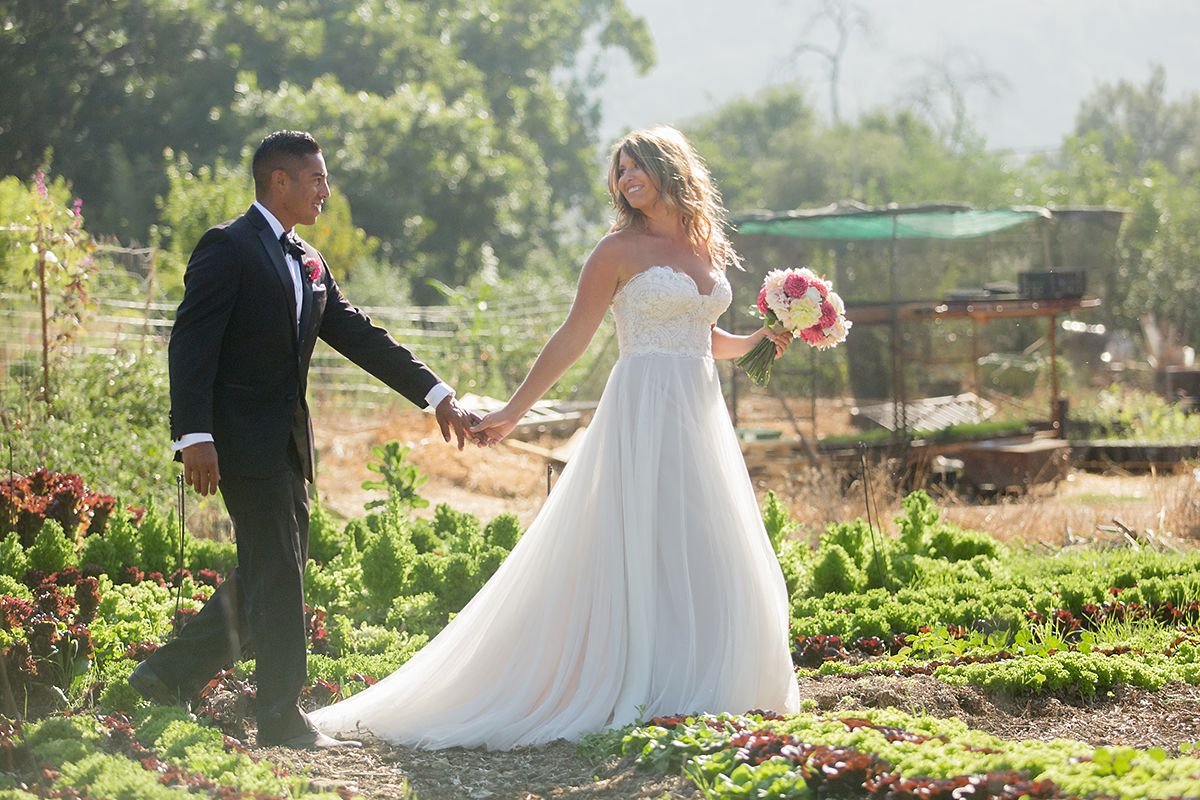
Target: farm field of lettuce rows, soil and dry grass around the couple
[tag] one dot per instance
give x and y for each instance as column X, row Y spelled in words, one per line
column 932, row 654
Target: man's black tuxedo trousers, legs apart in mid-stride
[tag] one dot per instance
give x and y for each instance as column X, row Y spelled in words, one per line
column 260, row 610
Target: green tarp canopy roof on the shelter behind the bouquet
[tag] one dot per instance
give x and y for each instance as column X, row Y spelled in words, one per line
column 861, row 224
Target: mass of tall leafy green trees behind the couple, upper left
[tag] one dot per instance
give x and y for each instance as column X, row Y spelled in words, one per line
column 478, row 88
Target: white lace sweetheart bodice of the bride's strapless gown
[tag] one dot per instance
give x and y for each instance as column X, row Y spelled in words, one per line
column 662, row 311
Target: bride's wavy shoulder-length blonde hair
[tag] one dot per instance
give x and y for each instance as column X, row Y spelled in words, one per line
column 683, row 183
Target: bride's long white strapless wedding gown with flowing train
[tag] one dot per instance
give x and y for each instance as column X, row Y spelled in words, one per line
column 646, row 586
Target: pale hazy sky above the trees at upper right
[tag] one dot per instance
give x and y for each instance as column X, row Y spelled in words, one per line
column 1045, row 56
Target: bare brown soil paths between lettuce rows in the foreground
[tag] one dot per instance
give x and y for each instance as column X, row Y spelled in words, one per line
column 1129, row 718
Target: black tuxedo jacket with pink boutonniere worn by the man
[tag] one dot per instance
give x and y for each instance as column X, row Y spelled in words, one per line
column 239, row 360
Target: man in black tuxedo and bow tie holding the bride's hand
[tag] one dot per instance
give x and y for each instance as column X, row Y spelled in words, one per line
column 256, row 299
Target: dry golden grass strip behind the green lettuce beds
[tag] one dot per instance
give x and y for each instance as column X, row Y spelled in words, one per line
column 488, row 483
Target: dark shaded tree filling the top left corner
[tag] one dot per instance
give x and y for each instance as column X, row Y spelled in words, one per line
column 106, row 87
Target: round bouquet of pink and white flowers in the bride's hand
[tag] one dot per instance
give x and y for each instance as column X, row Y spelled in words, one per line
column 802, row 303
